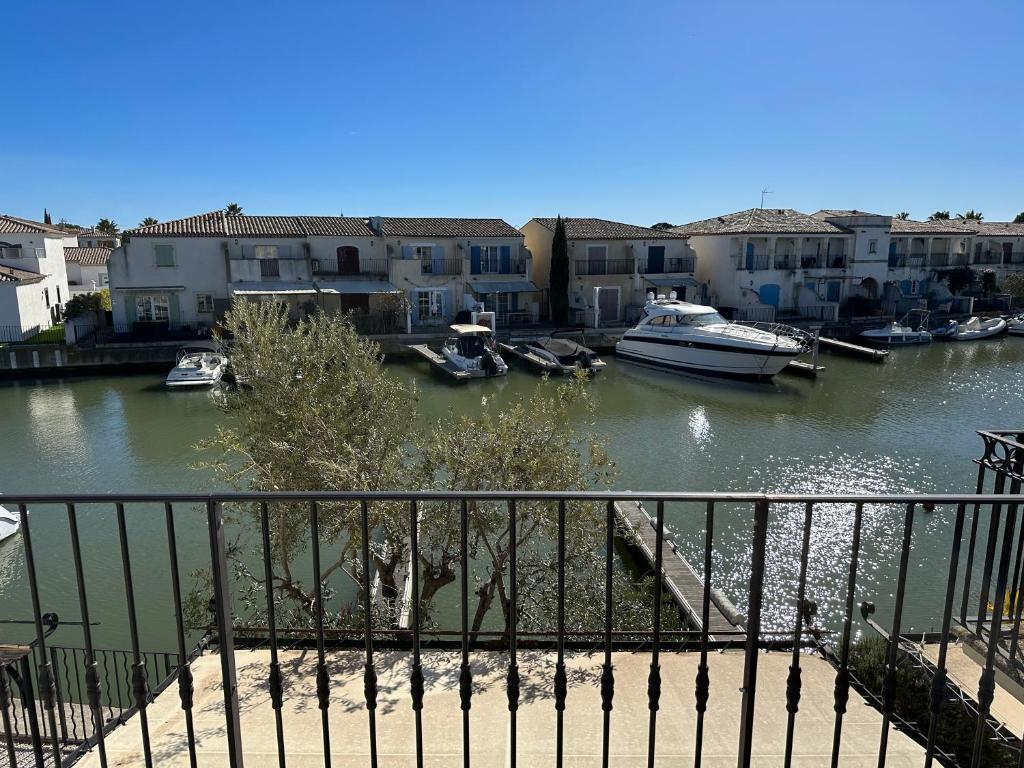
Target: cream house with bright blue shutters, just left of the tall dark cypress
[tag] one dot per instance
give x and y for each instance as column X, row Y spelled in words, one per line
column 446, row 266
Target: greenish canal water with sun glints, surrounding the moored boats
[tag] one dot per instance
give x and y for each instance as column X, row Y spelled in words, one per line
column 908, row 425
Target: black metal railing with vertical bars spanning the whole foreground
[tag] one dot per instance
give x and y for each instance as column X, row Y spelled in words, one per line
column 775, row 619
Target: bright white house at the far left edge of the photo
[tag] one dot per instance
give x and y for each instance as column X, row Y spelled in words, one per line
column 33, row 277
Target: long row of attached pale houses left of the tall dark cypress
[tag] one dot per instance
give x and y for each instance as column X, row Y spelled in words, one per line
column 185, row 274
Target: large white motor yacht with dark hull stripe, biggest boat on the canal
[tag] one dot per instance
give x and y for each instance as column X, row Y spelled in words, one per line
column 696, row 339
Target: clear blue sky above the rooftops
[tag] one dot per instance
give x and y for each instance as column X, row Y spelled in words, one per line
column 637, row 112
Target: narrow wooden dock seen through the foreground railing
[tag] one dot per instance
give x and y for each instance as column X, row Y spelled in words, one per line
column 680, row 579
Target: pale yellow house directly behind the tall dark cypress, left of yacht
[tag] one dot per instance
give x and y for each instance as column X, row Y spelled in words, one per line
column 614, row 266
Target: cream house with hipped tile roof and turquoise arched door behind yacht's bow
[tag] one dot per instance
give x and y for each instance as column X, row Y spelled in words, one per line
column 771, row 264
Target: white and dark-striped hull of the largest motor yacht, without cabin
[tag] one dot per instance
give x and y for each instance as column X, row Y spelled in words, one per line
column 723, row 363
